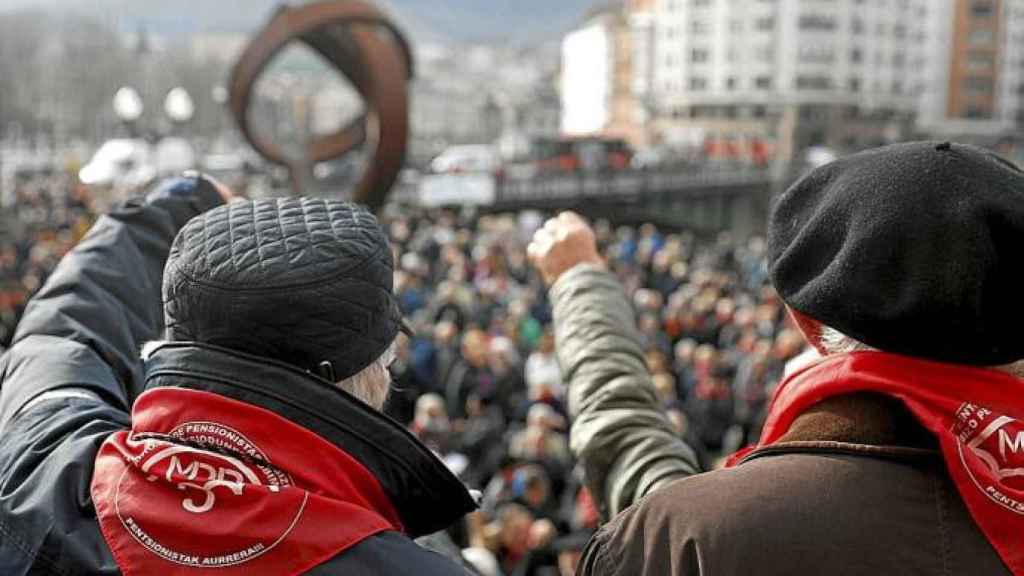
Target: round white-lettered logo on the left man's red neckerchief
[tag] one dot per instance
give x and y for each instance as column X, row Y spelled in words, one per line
column 216, row 476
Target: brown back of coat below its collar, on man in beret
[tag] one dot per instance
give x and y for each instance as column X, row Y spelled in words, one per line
column 801, row 508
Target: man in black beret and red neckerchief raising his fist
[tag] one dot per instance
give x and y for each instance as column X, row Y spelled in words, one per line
column 901, row 450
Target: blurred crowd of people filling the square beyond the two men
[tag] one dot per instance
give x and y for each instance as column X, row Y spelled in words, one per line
column 481, row 384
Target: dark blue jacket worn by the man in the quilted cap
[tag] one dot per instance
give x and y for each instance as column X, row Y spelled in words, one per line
column 73, row 373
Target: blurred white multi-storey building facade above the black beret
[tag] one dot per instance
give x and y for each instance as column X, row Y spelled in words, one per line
column 843, row 73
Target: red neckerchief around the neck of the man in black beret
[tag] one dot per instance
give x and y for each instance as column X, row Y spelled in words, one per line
column 977, row 416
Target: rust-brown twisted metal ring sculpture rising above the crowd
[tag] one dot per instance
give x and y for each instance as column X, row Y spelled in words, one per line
column 365, row 47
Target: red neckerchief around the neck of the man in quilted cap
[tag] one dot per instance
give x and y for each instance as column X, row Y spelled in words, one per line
column 203, row 484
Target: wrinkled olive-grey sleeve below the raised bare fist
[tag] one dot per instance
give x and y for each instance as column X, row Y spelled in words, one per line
column 620, row 434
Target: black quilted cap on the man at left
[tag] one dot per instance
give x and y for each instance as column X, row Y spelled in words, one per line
column 303, row 281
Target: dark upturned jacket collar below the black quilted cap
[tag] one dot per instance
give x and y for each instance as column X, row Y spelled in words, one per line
column 428, row 497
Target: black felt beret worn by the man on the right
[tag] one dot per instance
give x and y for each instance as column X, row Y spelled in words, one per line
column 913, row 249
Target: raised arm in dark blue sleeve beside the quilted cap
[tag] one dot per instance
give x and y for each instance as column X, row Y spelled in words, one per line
column 83, row 332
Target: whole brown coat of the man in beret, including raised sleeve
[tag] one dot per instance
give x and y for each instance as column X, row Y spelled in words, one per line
column 856, row 488
